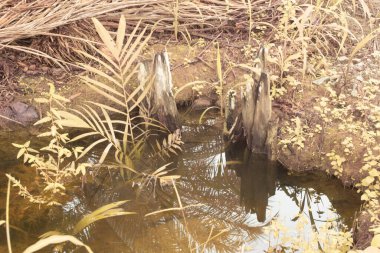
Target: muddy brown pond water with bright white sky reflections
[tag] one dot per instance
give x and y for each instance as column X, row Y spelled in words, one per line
column 231, row 197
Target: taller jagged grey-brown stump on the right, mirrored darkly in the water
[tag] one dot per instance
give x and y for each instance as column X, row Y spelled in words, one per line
column 252, row 118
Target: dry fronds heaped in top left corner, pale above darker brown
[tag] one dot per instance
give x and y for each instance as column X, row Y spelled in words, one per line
column 57, row 27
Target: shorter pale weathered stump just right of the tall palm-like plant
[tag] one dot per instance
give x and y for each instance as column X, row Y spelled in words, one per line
column 160, row 103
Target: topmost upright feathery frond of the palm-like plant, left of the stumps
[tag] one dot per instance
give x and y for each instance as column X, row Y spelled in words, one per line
column 117, row 60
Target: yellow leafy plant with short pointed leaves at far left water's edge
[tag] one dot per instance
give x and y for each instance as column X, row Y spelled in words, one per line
column 54, row 163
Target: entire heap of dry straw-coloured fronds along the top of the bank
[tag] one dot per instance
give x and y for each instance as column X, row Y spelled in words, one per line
column 59, row 26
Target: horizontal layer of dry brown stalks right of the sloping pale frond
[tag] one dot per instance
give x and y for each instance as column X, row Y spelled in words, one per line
column 201, row 17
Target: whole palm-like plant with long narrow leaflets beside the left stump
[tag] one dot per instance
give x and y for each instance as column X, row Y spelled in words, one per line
column 113, row 124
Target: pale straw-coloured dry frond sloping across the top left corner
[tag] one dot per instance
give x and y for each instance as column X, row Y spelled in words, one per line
column 20, row 19
